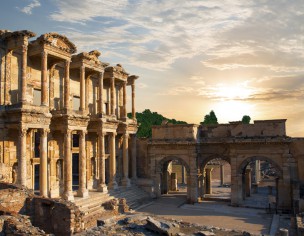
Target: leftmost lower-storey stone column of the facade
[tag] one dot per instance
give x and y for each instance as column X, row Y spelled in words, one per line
column 22, row 168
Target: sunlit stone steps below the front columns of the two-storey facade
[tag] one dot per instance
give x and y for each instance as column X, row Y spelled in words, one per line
column 92, row 207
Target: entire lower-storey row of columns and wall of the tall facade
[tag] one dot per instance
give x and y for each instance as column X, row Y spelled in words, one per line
column 105, row 159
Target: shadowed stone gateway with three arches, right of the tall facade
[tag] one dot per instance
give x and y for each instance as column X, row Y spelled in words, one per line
column 259, row 154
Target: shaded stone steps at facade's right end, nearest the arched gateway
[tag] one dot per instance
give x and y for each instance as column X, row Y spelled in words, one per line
column 134, row 196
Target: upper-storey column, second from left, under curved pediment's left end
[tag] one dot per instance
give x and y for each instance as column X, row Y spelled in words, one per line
column 44, row 79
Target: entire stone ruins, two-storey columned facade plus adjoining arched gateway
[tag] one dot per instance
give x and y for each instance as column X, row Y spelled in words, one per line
column 64, row 130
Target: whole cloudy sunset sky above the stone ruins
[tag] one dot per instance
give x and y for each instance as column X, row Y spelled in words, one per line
column 235, row 57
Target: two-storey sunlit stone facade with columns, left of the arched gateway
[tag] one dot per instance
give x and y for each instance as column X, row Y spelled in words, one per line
column 63, row 117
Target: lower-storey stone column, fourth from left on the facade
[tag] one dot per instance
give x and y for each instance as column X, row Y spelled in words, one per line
column 82, row 190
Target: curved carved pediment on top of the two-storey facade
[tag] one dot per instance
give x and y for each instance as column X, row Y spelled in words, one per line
column 58, row 41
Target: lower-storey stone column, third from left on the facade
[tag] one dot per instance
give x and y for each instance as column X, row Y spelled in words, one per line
column 68, row 191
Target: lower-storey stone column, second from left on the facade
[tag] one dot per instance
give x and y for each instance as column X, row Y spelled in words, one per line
column 43, row 163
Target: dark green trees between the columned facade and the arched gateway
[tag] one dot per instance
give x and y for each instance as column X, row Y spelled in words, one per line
column 147, row 118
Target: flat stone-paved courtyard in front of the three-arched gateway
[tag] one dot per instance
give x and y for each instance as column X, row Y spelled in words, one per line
column 218, row 214
